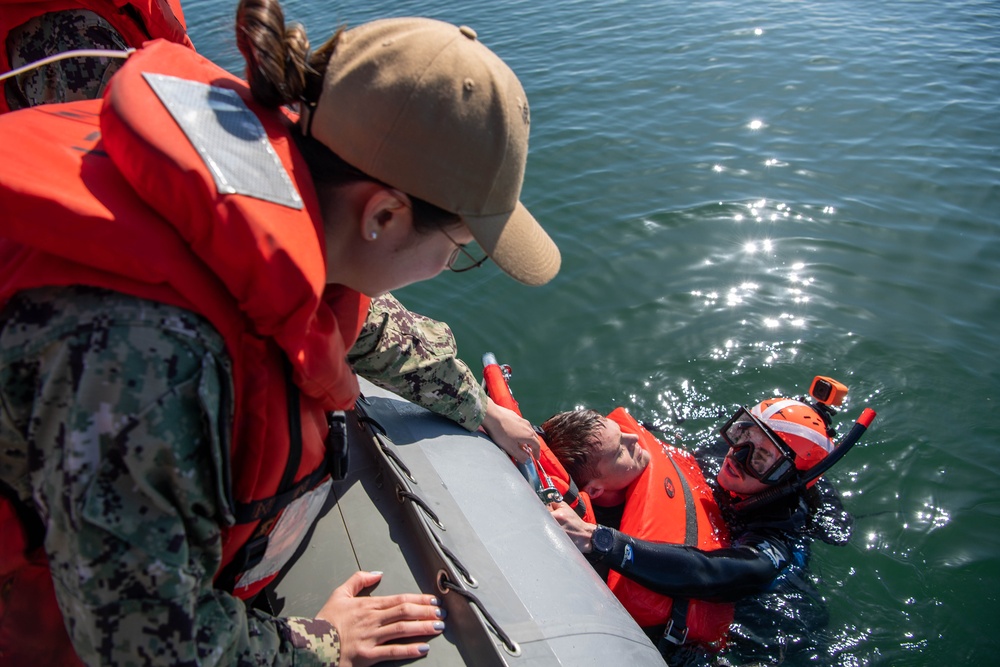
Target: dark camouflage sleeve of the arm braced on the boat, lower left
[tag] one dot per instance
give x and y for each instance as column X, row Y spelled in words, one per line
column 113, row 403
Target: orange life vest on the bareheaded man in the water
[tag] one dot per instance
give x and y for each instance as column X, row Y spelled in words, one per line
column 671, row 503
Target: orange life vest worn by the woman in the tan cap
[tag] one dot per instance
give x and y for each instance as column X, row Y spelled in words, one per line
column 114, row 195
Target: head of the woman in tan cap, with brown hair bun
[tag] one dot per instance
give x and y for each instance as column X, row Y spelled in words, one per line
column 409, row 126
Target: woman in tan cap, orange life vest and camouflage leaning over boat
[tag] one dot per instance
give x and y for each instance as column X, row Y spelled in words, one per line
column 180, row 288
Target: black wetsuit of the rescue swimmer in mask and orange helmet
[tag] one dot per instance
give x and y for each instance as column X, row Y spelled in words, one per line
column 769, row 554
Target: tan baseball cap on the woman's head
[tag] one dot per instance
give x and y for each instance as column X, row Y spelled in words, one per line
column 423, row 106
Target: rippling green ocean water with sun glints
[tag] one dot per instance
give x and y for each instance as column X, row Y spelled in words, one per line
column 747, row 195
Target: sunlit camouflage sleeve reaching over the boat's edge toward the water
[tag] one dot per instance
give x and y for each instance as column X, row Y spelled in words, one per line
column 416, row 357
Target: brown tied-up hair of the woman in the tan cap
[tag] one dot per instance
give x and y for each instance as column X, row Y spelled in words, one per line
column 282, row 70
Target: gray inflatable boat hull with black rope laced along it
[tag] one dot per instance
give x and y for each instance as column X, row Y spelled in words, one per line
column 444, row 511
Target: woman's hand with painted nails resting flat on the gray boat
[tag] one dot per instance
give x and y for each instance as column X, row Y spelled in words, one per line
column 370, row 625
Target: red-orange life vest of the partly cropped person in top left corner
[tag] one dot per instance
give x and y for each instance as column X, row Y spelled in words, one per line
column 137, row 21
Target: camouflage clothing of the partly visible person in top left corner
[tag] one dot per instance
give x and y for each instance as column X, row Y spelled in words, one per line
column 65, row 80
